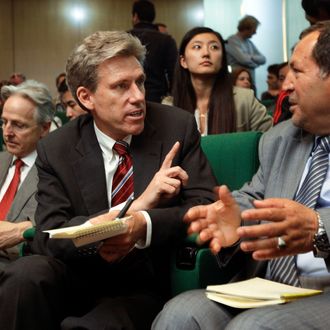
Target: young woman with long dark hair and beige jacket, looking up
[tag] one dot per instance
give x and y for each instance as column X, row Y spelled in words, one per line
column 202, row 86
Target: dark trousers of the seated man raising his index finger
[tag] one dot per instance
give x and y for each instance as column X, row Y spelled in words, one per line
column 39, row 292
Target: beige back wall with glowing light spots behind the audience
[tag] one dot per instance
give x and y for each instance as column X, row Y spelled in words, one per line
column 36, row 36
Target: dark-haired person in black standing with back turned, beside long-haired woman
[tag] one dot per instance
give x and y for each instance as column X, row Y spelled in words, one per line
column 161, row 51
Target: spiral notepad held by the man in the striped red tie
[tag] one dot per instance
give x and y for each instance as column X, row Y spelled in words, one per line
column 88, row 233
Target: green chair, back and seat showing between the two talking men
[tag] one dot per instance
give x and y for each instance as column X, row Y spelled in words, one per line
column 234, row 160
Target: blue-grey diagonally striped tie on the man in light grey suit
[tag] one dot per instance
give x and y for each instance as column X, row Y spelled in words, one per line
column 284, row 269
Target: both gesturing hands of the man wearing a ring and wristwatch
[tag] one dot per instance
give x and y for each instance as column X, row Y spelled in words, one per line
column 220, row 224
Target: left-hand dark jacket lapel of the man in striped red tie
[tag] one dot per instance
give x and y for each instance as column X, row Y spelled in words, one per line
column 88, row 168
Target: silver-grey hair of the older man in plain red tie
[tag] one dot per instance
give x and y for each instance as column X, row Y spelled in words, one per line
column 37, row 93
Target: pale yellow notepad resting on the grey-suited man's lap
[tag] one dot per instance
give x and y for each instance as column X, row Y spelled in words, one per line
column 256, row 292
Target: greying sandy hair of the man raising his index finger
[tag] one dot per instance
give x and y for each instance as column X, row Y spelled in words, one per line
column 82, row 65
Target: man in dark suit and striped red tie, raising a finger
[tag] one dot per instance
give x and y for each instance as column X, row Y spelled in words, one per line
column 81, row 167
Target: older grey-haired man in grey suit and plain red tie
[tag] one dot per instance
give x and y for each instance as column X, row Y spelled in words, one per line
column 26, row 117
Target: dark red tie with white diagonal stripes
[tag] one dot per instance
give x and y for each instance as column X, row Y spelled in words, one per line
column 122, row 183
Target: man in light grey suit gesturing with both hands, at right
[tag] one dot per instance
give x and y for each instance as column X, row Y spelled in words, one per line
column 278, row 225
